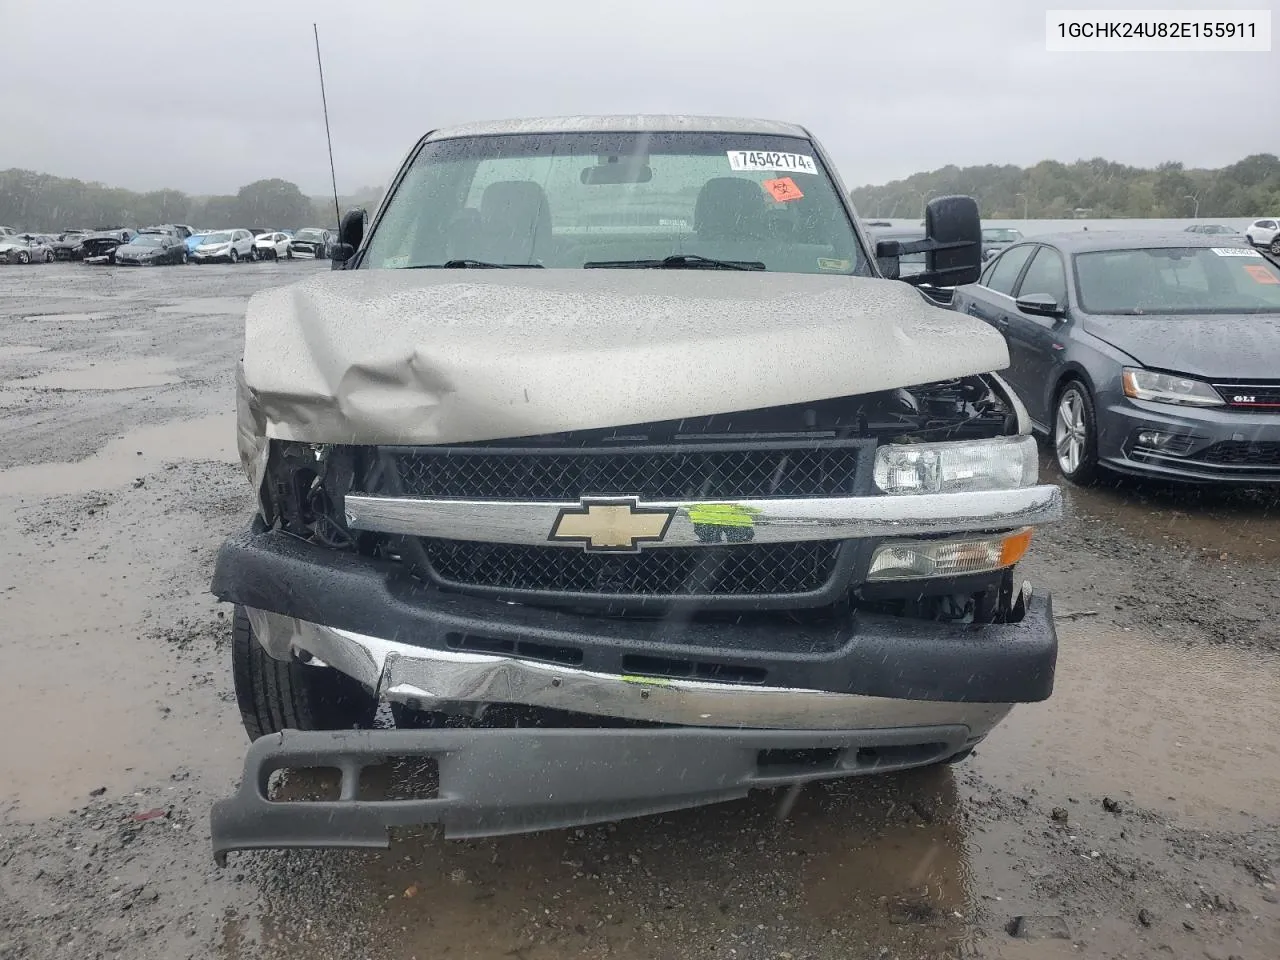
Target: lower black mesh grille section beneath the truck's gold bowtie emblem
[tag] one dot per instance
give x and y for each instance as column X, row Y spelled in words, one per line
column 674, row 572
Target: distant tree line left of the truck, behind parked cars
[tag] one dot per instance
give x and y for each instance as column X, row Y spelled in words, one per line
column 39, row 202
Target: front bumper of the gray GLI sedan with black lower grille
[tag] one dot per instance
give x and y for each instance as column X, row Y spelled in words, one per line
column 1212, row 445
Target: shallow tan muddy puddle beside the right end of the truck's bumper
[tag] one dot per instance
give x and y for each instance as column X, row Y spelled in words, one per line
column 1183, row 730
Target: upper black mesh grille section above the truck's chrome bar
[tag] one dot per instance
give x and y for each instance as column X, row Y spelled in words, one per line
column 566, row 476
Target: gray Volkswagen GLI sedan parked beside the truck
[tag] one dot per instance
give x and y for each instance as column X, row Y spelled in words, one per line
column 1142, row 354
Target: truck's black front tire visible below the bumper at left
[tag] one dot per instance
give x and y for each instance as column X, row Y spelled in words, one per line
column 273, row 696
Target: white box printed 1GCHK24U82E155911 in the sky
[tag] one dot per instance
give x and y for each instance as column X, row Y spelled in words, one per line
column 1158, row 31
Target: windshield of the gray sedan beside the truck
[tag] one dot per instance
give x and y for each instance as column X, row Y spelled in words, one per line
column 1178, row 281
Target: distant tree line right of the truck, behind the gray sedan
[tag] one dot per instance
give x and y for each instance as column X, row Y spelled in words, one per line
column 1094, row 189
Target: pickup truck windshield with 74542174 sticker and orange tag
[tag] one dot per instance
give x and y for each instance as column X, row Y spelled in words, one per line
column 661, row 200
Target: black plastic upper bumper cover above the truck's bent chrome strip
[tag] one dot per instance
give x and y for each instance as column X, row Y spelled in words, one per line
column 874, row 656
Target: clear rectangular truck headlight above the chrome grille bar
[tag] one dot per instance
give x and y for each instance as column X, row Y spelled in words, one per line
column 1002, row 464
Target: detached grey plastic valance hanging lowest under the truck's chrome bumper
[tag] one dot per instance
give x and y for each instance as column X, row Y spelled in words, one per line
column 502, row 781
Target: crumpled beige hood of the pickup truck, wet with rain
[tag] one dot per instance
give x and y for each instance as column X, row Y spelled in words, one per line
column 447, row 356
